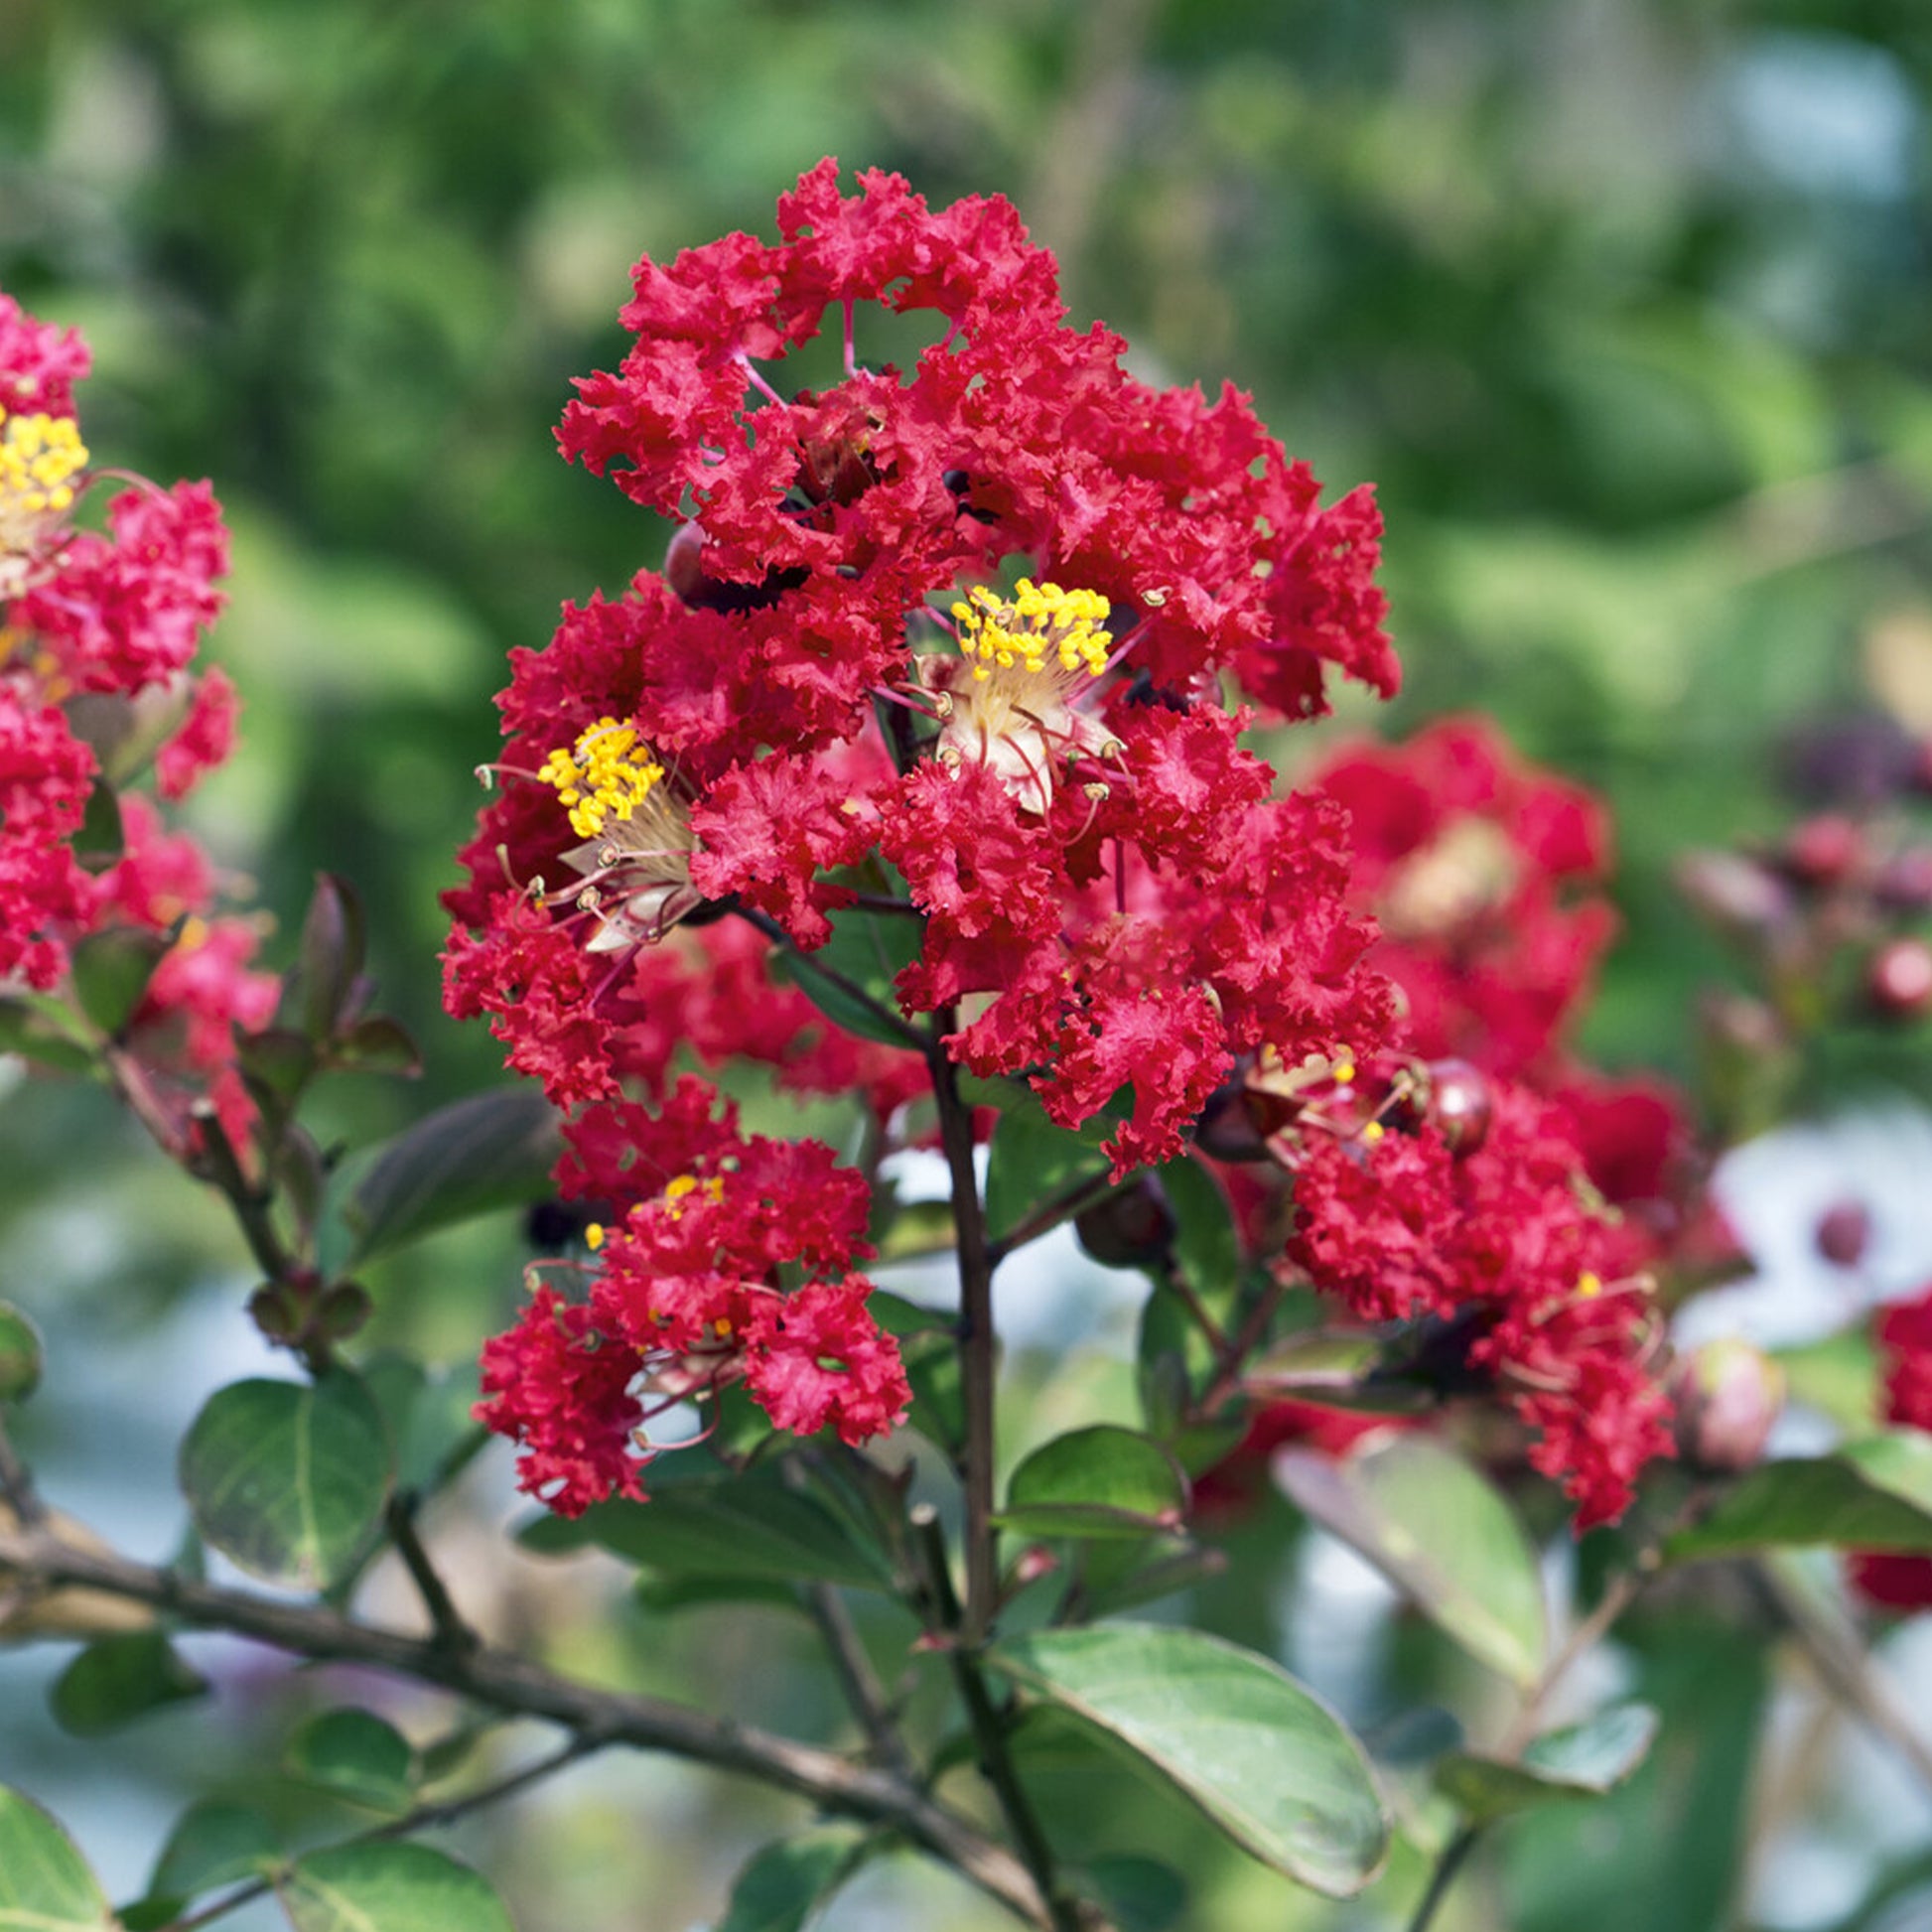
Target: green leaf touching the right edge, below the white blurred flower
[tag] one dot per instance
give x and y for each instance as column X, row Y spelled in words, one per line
column 1873, row 1494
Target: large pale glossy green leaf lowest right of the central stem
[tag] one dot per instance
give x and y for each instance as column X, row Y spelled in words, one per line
column 1263, row 1757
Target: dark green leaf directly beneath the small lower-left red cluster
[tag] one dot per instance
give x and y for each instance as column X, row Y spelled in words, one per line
column 749, row 1527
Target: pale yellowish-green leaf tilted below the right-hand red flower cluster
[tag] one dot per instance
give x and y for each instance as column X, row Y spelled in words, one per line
column 1440, row 1533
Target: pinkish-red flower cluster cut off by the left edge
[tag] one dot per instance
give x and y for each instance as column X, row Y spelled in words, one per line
column 98, row 633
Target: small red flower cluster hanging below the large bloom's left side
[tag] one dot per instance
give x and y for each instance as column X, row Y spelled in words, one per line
column 691, row 1299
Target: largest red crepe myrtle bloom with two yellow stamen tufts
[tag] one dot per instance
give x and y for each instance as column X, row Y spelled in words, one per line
column 965, row 619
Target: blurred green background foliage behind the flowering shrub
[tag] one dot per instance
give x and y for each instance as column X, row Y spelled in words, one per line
column 1622, row 304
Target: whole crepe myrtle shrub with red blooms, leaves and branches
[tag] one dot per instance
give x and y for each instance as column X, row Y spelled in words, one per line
column 926, row 778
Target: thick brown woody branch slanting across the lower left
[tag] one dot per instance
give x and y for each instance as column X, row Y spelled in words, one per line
column 515, row 1684
